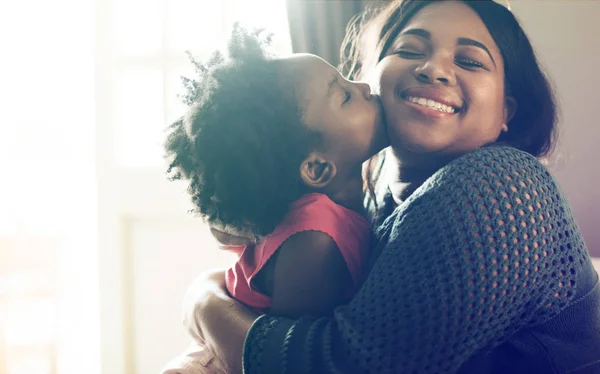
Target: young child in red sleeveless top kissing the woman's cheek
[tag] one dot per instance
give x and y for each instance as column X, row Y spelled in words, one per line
column 273, row 149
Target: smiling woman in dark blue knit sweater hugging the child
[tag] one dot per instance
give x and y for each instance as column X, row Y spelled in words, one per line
column 479, row 266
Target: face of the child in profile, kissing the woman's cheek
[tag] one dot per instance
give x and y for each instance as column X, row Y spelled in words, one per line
column 344, row 112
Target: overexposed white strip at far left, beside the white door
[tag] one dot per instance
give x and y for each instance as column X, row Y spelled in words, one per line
column 48, row 266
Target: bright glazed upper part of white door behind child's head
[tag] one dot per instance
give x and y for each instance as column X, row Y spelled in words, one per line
column 148, row 41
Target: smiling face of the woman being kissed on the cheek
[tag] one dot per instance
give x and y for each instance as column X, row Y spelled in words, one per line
column 442, row 85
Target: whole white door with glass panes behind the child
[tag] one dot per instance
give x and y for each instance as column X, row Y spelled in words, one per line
column 142, row 216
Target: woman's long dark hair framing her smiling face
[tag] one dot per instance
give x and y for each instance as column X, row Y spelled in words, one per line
column 533, row 128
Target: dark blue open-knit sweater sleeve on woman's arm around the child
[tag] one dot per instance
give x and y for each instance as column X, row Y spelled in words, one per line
column 486, row 247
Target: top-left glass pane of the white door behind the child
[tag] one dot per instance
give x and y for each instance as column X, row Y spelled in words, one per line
column 137, row 27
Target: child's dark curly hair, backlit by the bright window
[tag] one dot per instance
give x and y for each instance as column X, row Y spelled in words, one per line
column 243, row 140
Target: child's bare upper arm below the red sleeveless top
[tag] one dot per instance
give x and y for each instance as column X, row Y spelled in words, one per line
column 308, row 276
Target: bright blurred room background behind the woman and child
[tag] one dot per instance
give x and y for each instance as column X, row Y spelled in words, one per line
column 96, row 247
